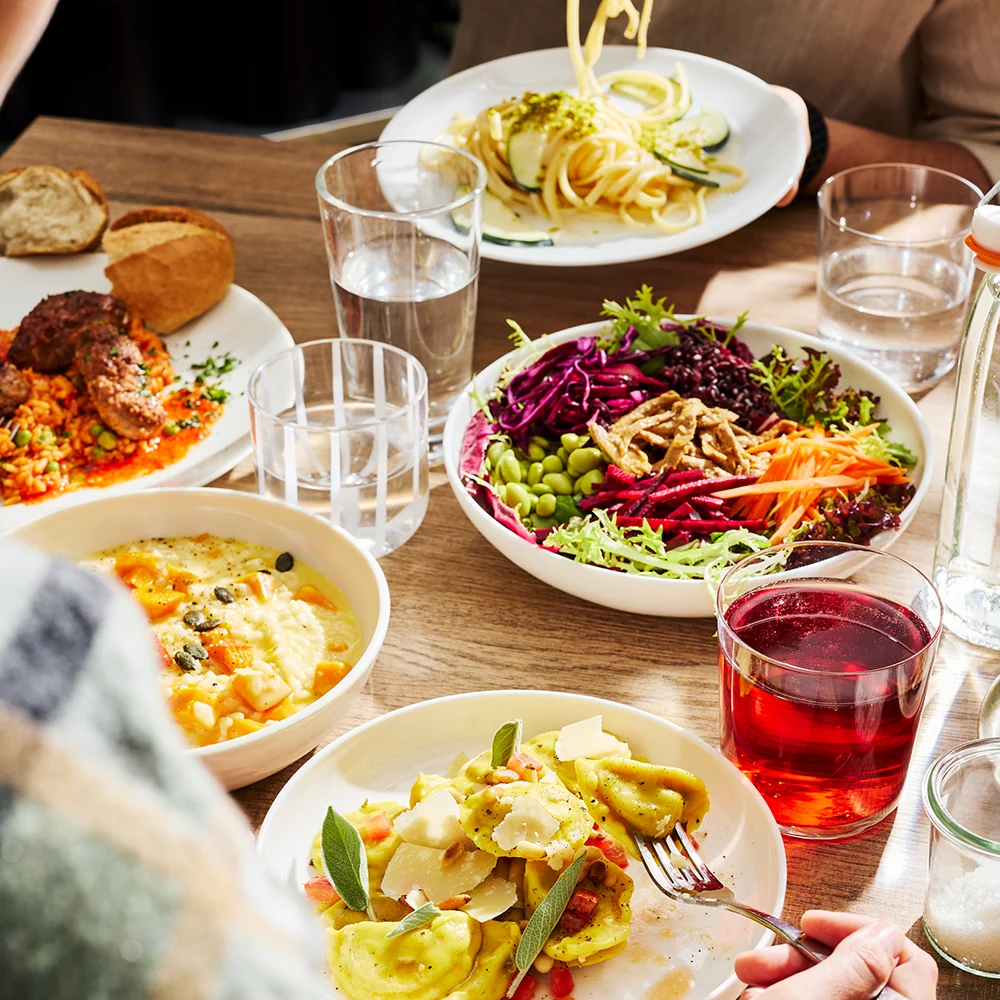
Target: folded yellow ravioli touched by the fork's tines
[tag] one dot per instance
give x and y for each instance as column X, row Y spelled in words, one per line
column 650, row 798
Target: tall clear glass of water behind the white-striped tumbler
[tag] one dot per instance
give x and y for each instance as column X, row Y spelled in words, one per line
column 402, row 223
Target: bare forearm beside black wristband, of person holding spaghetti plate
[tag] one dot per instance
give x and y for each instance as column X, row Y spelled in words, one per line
column 853, row 146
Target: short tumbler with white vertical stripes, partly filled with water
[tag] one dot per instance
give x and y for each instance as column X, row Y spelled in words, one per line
column 339, row 428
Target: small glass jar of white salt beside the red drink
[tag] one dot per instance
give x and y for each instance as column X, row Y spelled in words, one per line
column 962, row 908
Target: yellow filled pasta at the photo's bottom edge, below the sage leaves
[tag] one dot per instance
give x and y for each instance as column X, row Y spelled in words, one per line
column 454, row 957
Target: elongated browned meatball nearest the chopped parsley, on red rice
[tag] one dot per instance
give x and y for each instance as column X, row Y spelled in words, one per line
column 111, row 365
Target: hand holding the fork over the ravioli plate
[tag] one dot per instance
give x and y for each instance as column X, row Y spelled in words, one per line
column 868, row 955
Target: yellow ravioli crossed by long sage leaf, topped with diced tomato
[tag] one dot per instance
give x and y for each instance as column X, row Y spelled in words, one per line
column 607, row 931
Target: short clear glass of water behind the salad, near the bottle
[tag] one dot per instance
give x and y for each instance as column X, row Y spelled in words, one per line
column 894, row 271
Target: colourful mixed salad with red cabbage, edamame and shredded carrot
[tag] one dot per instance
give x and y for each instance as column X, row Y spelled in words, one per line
column 664, row 446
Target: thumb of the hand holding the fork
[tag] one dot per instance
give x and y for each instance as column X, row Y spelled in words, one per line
column 859, row 967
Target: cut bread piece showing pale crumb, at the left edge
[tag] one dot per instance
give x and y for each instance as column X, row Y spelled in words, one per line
column 46, row 210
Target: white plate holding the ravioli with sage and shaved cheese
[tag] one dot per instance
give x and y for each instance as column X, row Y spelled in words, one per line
column 739, row 840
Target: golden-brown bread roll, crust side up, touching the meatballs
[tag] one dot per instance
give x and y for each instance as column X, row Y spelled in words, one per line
column 168, row 264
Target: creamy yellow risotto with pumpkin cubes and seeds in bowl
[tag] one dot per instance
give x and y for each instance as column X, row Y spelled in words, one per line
column 247, row 635
